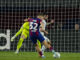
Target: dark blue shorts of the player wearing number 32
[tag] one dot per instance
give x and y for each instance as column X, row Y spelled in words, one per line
column 35, row 37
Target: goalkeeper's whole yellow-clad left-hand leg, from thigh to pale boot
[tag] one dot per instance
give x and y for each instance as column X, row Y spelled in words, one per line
column 23, row 36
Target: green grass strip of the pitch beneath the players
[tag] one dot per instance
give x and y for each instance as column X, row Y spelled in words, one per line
column 34, row 56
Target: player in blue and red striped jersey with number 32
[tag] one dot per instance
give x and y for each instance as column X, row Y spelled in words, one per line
column 36, row 35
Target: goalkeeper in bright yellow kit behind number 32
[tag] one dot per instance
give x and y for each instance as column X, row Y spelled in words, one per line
column 24, row 31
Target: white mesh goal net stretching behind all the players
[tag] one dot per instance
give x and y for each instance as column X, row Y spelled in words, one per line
column 64, row 33
